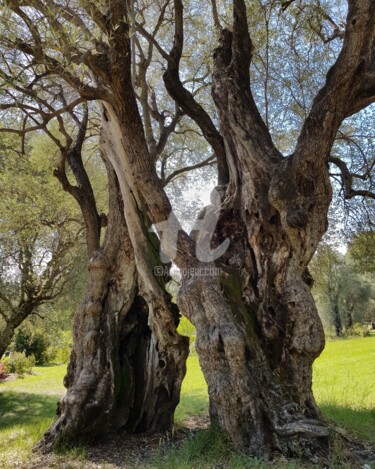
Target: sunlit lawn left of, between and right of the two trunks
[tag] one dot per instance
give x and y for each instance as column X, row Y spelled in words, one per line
column 344, row 385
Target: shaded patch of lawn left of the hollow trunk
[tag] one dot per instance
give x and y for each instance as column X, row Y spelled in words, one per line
column 25, row 409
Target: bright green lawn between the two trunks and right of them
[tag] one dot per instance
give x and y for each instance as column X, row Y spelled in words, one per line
column 344, row 386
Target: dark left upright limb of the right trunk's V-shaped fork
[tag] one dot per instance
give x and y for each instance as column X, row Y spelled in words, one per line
column 239, row 114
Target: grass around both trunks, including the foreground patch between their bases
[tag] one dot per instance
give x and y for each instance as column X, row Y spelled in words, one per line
column 344, row 386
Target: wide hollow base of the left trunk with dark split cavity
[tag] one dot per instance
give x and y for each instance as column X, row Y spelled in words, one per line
column 124, row 373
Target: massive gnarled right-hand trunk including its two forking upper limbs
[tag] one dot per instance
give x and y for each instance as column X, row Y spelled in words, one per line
column 258, row 331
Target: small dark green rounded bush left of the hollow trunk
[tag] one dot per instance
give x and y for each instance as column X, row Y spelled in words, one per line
column 32, row 341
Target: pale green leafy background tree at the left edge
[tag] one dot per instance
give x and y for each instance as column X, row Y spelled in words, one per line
column 40, row 236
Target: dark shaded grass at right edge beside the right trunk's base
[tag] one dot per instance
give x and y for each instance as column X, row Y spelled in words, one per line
column 360, row 422
